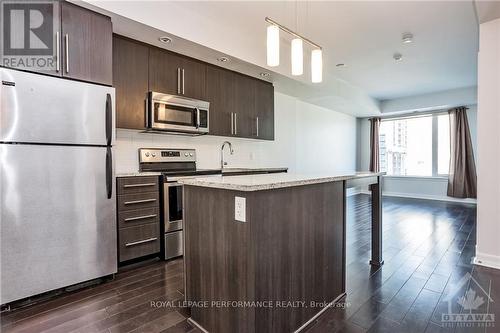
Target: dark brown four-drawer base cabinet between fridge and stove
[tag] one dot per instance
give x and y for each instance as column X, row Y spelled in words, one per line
column 138, row 217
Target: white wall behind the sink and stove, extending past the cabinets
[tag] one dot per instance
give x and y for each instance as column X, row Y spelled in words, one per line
column 308, row 139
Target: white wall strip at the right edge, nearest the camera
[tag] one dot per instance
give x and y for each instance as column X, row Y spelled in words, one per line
column 488, row 208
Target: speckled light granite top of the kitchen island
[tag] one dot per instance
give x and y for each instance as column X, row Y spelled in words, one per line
column 271, row 181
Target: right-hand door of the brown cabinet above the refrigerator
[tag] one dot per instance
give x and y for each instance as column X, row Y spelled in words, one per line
column 87, row 44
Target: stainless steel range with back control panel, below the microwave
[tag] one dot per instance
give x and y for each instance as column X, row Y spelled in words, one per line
column 173, row 164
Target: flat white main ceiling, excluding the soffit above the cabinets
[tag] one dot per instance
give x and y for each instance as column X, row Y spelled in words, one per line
column 365, row 34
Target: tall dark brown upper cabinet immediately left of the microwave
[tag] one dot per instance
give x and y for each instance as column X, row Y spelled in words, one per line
column 130, row 79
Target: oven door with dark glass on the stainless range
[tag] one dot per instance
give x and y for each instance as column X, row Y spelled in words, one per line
column 172, row 206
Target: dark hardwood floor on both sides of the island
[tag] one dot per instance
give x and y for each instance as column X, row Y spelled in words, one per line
column 428, row 247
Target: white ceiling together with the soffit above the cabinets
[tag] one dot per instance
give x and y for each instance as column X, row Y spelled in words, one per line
column 362, row 34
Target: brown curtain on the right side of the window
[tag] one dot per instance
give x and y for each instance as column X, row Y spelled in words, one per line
column 462, row 179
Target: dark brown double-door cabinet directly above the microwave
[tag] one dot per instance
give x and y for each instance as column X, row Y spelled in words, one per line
column 170, row 73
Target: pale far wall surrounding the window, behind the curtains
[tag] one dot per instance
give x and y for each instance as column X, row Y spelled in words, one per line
column 414, row 187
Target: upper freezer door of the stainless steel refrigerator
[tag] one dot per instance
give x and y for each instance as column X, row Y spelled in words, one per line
column 41, row 109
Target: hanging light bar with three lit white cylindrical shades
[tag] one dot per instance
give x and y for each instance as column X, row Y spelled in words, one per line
column 297, row 51
